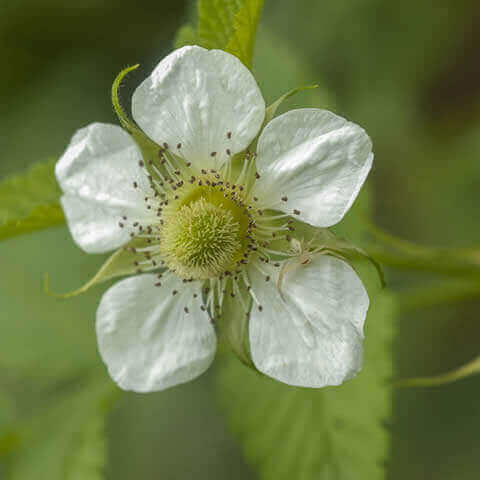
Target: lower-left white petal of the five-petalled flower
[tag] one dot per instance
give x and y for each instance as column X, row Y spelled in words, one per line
column 146, row 338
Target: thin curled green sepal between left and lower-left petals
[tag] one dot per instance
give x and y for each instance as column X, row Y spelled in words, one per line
column 120, row 263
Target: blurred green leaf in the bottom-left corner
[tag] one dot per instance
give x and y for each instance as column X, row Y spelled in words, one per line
column 65, row 442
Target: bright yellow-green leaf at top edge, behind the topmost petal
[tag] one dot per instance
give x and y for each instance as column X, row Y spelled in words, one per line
column 230, row 25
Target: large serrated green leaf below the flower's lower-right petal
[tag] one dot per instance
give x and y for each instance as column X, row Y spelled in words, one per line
column 334, row 433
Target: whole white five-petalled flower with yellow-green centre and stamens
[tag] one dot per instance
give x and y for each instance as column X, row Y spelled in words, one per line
column 218, row 229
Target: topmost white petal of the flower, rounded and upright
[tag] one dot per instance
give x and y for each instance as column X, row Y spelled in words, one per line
column 194, row 97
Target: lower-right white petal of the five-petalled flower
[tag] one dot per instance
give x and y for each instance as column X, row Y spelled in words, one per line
column 309, row 334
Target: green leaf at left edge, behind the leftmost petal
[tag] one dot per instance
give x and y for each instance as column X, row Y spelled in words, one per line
column 29, row 201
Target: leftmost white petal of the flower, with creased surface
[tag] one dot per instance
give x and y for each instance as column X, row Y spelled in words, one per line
column 96, row 174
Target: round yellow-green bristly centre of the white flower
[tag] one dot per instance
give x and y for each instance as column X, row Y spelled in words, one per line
column 202, row 239
